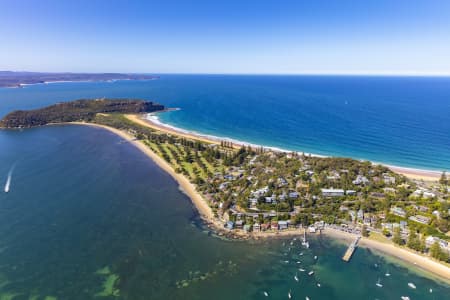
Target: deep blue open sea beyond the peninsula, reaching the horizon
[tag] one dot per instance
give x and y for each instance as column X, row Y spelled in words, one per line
column 402, row 121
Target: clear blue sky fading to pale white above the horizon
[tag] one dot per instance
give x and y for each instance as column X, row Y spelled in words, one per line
column 232, row 36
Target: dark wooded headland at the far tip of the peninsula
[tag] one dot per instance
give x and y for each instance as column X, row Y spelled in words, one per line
column 78, row 110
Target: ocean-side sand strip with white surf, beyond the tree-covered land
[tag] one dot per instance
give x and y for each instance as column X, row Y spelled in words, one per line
column 411, row 173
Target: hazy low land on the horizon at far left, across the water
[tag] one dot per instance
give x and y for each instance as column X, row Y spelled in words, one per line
column 16, row 79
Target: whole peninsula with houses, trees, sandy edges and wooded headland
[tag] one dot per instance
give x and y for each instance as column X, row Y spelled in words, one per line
column 244, row 191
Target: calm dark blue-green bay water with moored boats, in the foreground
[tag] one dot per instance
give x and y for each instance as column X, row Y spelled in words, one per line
column 84, row 207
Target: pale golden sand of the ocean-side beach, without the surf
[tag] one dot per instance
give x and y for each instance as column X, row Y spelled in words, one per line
column 411, row 173
